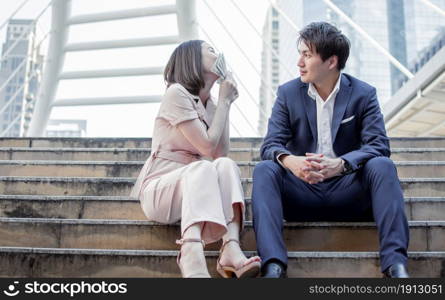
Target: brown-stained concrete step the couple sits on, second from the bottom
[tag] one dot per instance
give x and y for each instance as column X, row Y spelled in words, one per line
column 144, row 235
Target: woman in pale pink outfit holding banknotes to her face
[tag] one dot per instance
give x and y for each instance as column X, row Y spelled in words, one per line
column 177, row 184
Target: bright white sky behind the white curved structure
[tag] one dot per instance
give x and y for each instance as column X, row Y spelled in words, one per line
column 136, row 120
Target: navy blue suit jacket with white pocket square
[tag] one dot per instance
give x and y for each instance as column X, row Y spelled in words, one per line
column 292, row 126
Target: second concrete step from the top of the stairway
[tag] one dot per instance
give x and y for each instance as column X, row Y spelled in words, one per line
column 141, row 154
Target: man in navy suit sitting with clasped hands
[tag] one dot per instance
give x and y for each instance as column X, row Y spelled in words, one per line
column 325, row 157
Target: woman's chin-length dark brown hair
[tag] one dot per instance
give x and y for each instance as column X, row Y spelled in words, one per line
column 185, row 67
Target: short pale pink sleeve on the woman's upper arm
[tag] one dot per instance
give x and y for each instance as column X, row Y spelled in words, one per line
column 177, row 106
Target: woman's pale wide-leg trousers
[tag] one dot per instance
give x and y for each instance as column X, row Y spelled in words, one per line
column 201, row 191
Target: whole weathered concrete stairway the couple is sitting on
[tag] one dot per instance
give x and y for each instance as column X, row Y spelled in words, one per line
column 65, row 212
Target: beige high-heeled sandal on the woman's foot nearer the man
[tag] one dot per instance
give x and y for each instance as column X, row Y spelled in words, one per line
column 250, row 269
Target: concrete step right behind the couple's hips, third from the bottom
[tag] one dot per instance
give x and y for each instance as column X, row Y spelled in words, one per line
column 124, row 208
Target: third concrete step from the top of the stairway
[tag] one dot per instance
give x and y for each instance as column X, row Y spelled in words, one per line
column 414, row 169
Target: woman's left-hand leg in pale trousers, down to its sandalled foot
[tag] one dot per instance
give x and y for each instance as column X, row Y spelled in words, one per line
column 190, row 194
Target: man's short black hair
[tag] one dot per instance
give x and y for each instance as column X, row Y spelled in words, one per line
column 326, row 40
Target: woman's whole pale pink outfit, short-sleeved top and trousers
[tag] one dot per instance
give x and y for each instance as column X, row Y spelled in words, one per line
column 176, row 183
